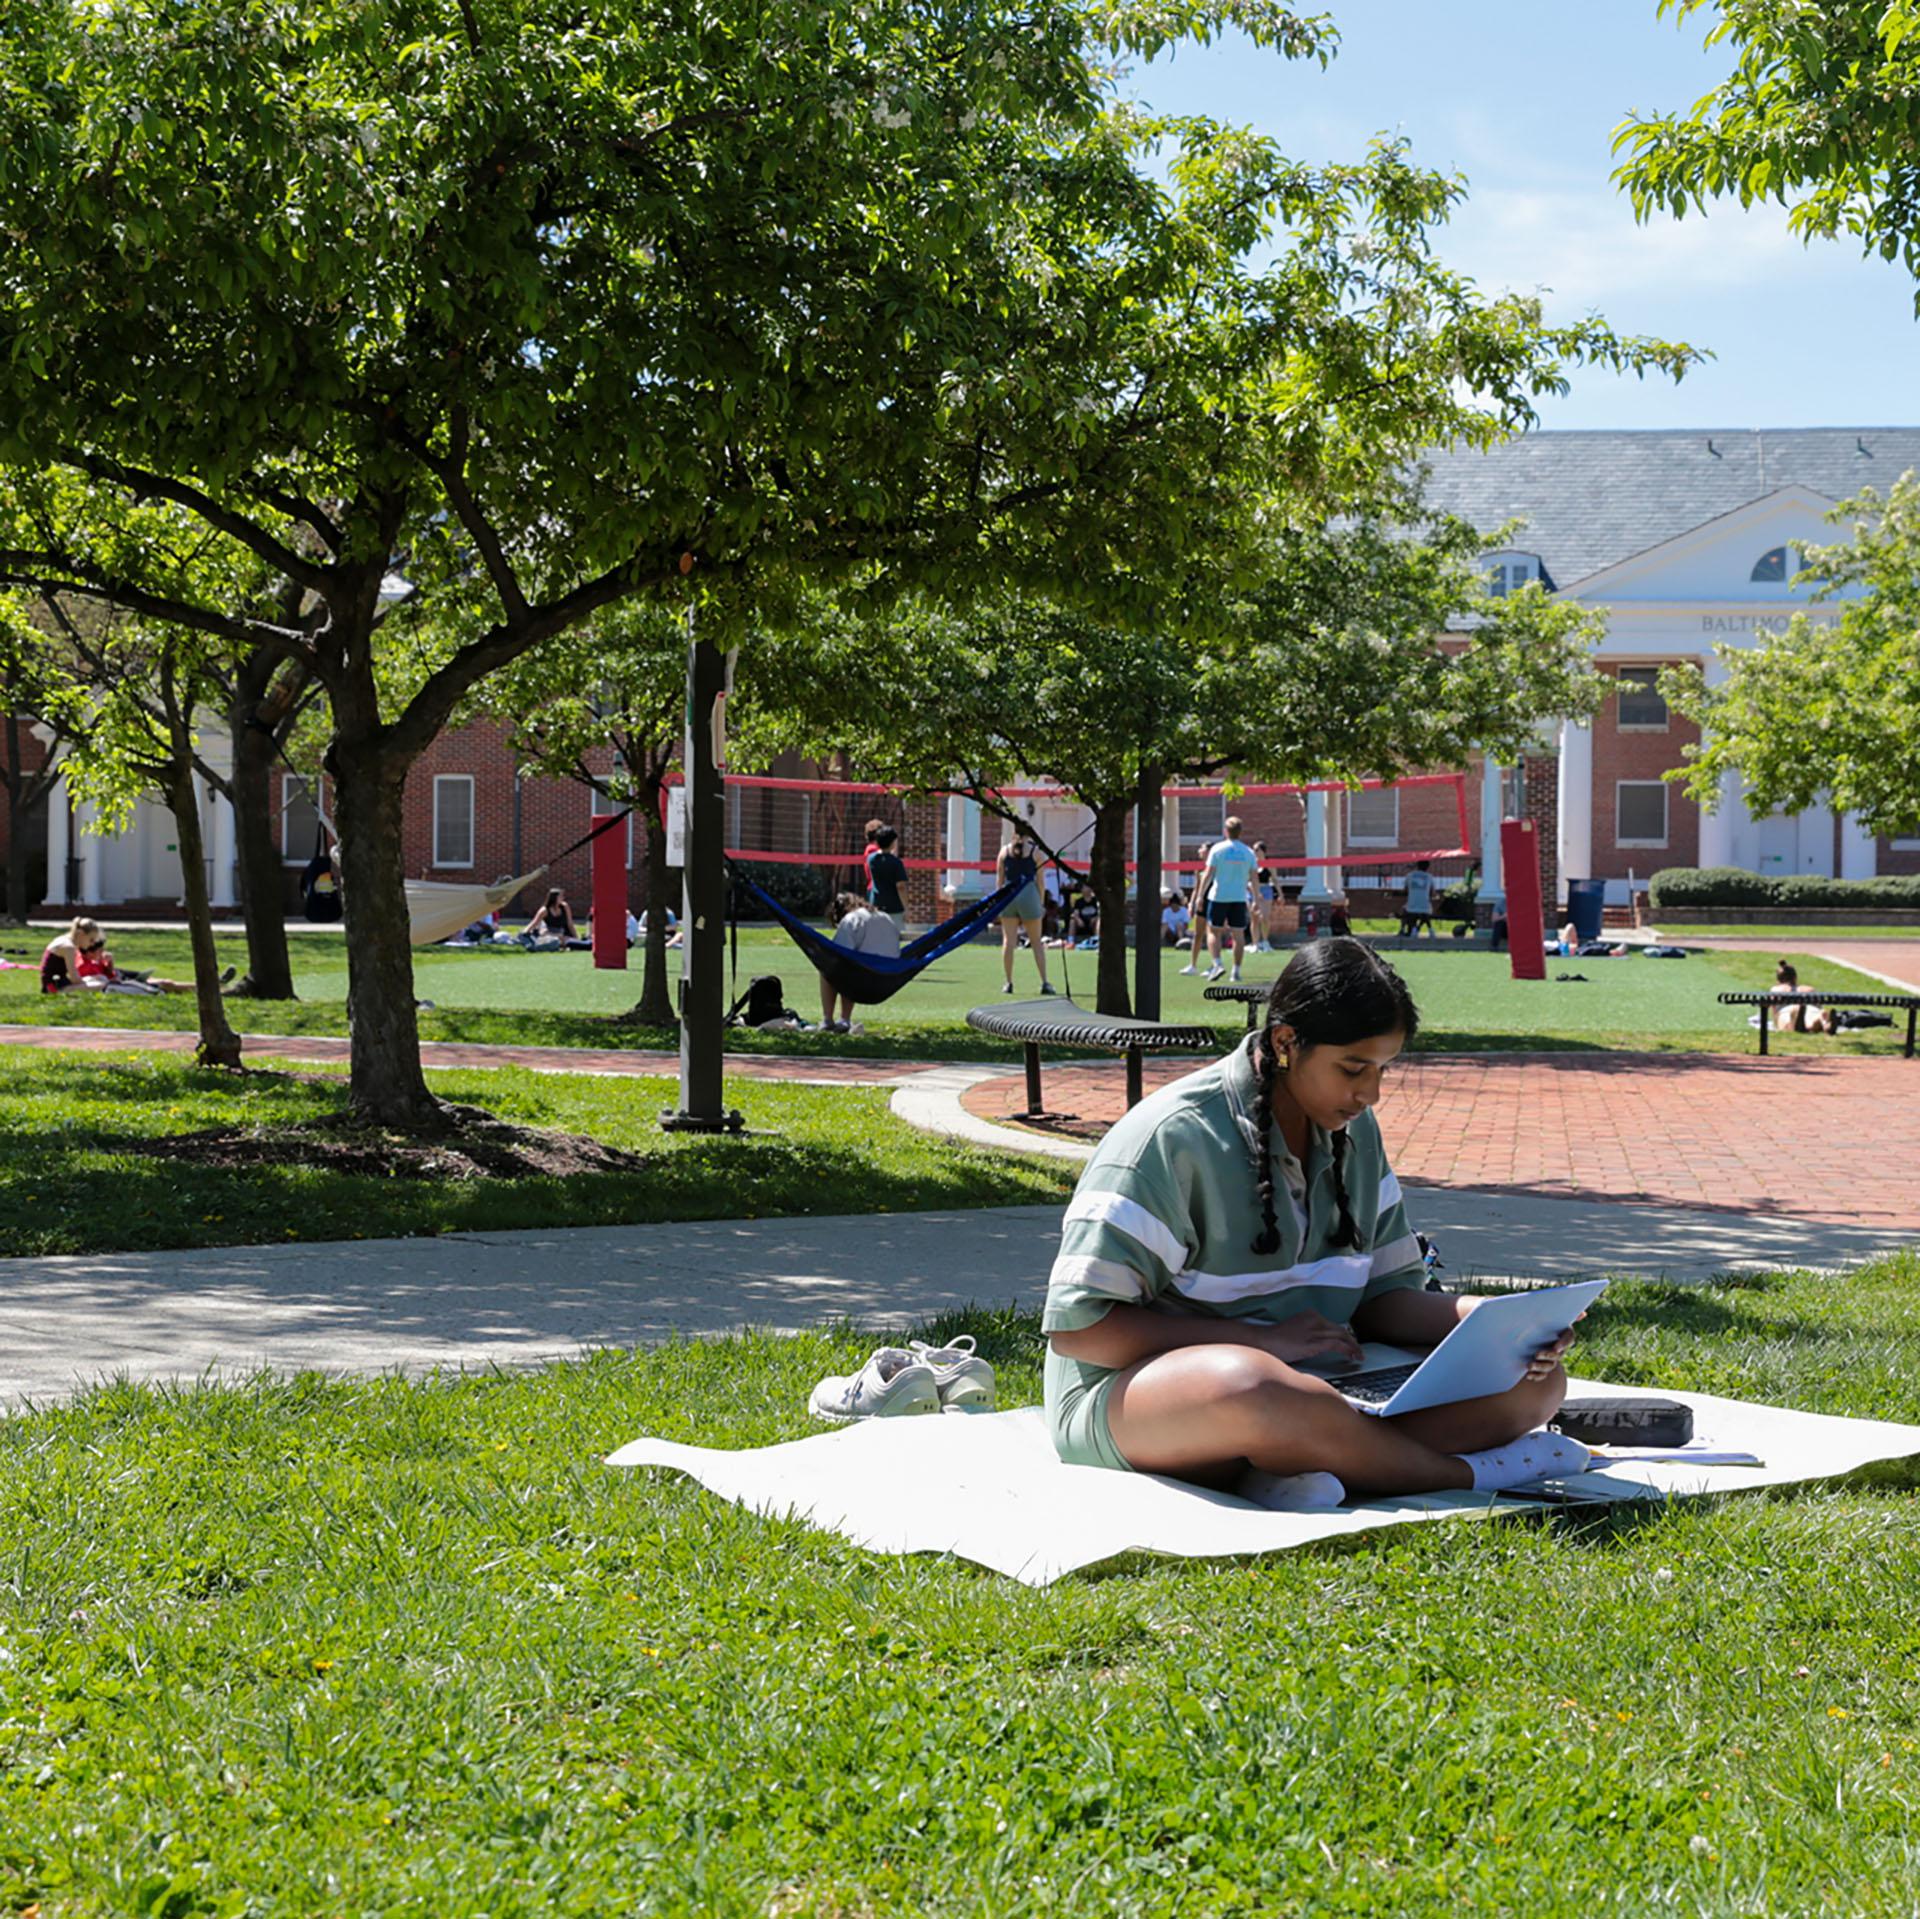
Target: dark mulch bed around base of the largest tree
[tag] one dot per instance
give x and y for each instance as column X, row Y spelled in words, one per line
column 479, row 1148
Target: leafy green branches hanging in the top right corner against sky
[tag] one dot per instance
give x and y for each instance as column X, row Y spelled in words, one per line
column 1821, row 114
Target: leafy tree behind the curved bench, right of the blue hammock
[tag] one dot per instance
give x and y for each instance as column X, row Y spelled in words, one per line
column 1326, row 669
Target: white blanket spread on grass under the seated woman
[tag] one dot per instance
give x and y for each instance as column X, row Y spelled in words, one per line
column 990, row 1488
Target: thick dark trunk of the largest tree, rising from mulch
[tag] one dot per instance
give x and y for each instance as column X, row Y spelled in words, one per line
column 385, row 1084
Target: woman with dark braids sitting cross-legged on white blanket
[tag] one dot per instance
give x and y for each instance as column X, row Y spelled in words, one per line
column 1243, row 1223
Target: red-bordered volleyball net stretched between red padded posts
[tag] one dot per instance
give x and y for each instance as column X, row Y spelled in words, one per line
column 827, row 825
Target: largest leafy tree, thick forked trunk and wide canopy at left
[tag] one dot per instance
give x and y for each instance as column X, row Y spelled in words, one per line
column 558, row 306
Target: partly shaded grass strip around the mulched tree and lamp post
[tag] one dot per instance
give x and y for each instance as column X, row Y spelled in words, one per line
column 72, row 1180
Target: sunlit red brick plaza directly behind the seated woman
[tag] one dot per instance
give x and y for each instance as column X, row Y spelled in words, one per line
column 1812, row 1138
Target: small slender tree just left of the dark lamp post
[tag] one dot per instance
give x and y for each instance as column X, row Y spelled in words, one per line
column 615, row 685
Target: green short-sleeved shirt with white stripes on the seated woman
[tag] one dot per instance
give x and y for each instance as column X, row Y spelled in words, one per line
column 1168, row 1211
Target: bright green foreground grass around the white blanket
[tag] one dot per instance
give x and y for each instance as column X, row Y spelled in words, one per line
column 406, row 1647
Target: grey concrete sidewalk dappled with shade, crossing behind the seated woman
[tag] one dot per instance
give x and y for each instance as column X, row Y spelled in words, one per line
column 516, row 1300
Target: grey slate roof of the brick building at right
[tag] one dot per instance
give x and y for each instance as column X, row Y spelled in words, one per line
column 1596, row 498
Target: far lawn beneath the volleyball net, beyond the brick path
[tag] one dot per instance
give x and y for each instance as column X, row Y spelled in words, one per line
column 1468, row 1000
